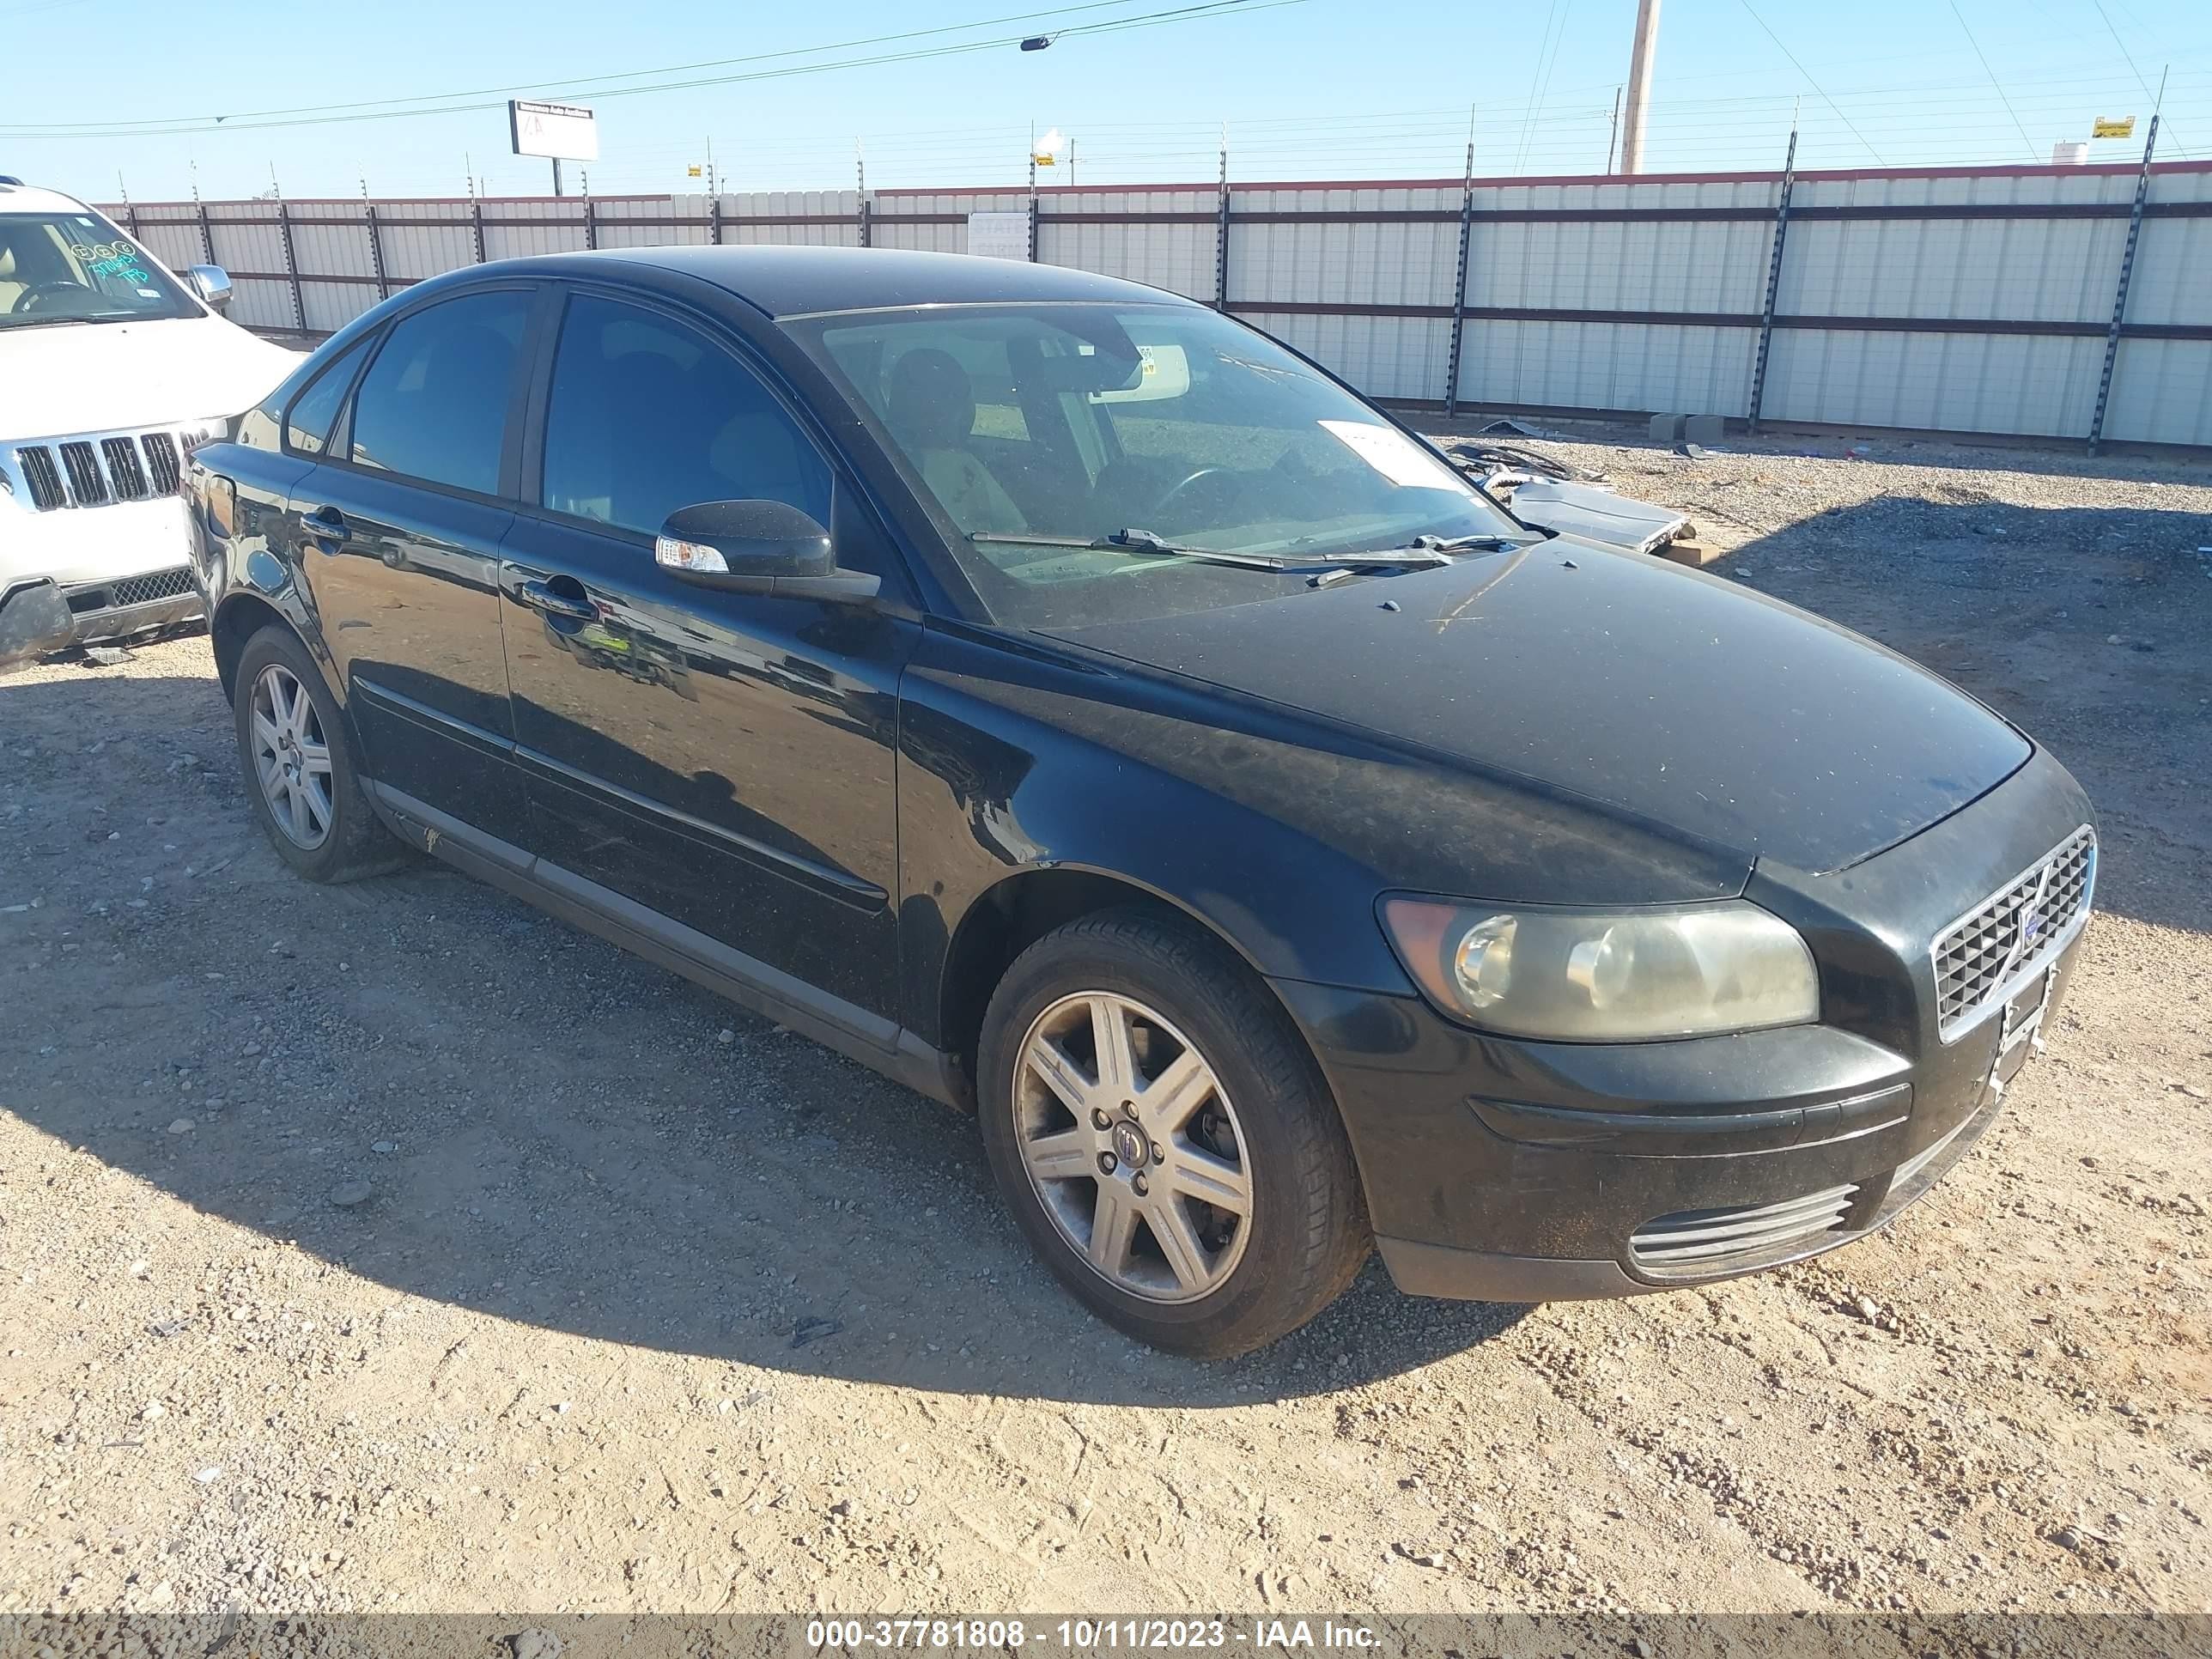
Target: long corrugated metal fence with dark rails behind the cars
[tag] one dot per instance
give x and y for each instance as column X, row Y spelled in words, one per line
column 1934, row 300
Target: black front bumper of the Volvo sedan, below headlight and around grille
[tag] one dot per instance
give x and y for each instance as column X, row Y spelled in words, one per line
column 1530, row 1171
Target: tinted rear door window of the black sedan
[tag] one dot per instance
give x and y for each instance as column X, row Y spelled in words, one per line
column 435, row 401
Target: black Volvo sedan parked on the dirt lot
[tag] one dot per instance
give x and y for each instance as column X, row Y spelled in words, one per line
column 1096, row 716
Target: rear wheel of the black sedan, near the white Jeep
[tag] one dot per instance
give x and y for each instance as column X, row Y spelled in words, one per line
column 300, row 766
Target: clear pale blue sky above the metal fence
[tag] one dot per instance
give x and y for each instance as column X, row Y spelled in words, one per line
column 1311, row 90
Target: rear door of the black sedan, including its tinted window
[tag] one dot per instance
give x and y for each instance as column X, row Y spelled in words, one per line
column 401, row 525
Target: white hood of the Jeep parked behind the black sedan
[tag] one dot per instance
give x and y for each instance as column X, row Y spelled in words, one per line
column 114, row 377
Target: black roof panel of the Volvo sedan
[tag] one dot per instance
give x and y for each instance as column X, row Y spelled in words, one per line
column 791, row 280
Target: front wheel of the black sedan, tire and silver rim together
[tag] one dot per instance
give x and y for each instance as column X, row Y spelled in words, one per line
column 1165, row 1138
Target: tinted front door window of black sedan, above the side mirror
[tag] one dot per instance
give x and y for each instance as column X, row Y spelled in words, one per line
column 649, row 417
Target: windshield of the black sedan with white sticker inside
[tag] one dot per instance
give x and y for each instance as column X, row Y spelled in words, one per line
column 1078, row 424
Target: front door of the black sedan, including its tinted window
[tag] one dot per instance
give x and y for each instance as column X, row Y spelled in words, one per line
column 722, row 760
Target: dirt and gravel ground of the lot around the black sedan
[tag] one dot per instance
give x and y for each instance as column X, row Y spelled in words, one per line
column 399, row 1249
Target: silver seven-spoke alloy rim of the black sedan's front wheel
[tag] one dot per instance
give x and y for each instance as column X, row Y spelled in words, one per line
column 1134, row 1147
